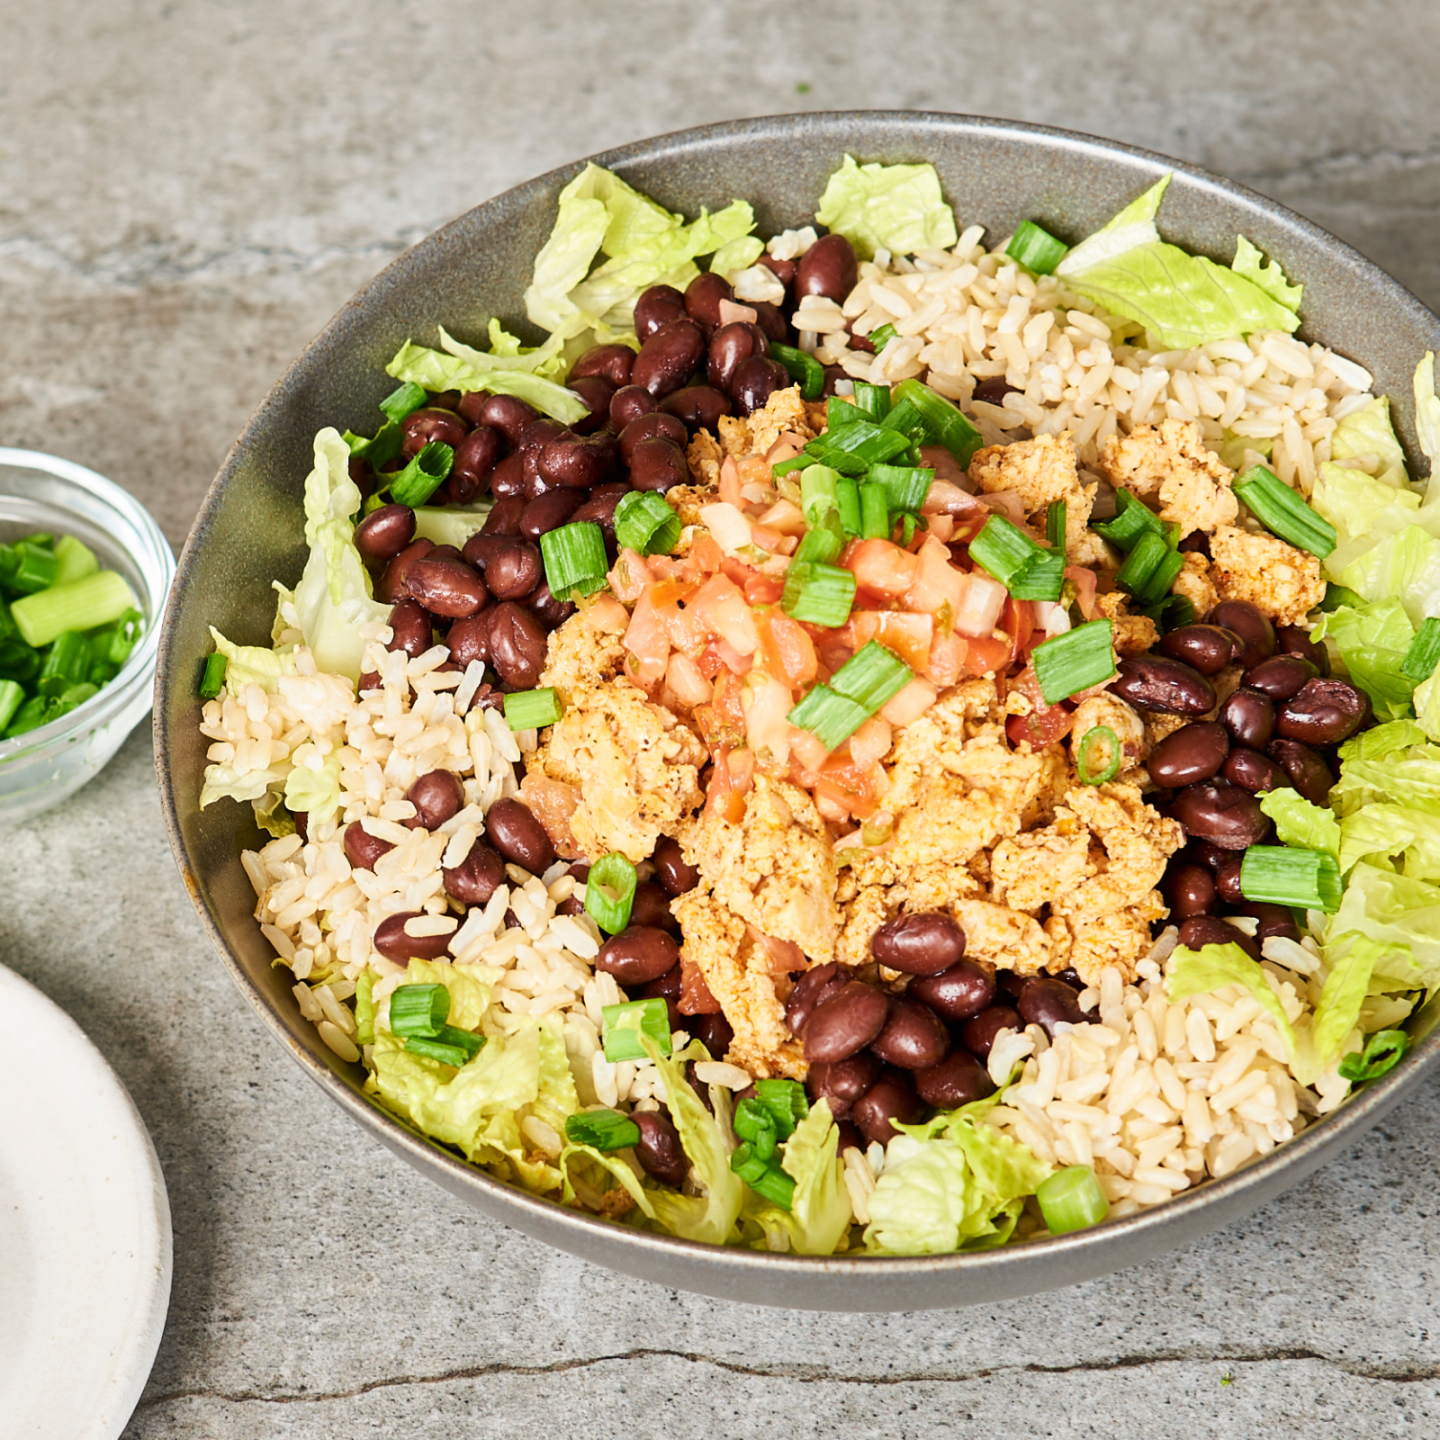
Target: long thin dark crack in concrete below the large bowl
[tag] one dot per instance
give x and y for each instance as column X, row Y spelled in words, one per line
column 809, row 1376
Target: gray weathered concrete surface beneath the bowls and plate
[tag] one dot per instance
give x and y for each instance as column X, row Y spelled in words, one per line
column 186, row 194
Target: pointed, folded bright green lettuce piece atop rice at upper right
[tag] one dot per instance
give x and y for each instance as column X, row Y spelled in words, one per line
column 1182, row 300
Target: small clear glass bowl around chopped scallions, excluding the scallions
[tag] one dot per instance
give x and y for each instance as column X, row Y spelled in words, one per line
column 42, row 492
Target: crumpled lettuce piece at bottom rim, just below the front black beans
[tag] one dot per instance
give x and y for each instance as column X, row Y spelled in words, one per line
column 951, row 1184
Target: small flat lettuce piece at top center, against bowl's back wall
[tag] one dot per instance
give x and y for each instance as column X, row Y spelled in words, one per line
column 892, row 208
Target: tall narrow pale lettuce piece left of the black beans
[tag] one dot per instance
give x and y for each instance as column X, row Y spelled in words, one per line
column 333, row 598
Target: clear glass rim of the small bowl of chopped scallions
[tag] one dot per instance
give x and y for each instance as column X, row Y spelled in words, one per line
column 145, row 657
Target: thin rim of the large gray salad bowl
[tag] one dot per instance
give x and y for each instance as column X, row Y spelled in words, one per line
column 1127, row 1239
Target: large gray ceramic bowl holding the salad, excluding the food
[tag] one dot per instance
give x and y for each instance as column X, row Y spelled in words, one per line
column 250, row 532
